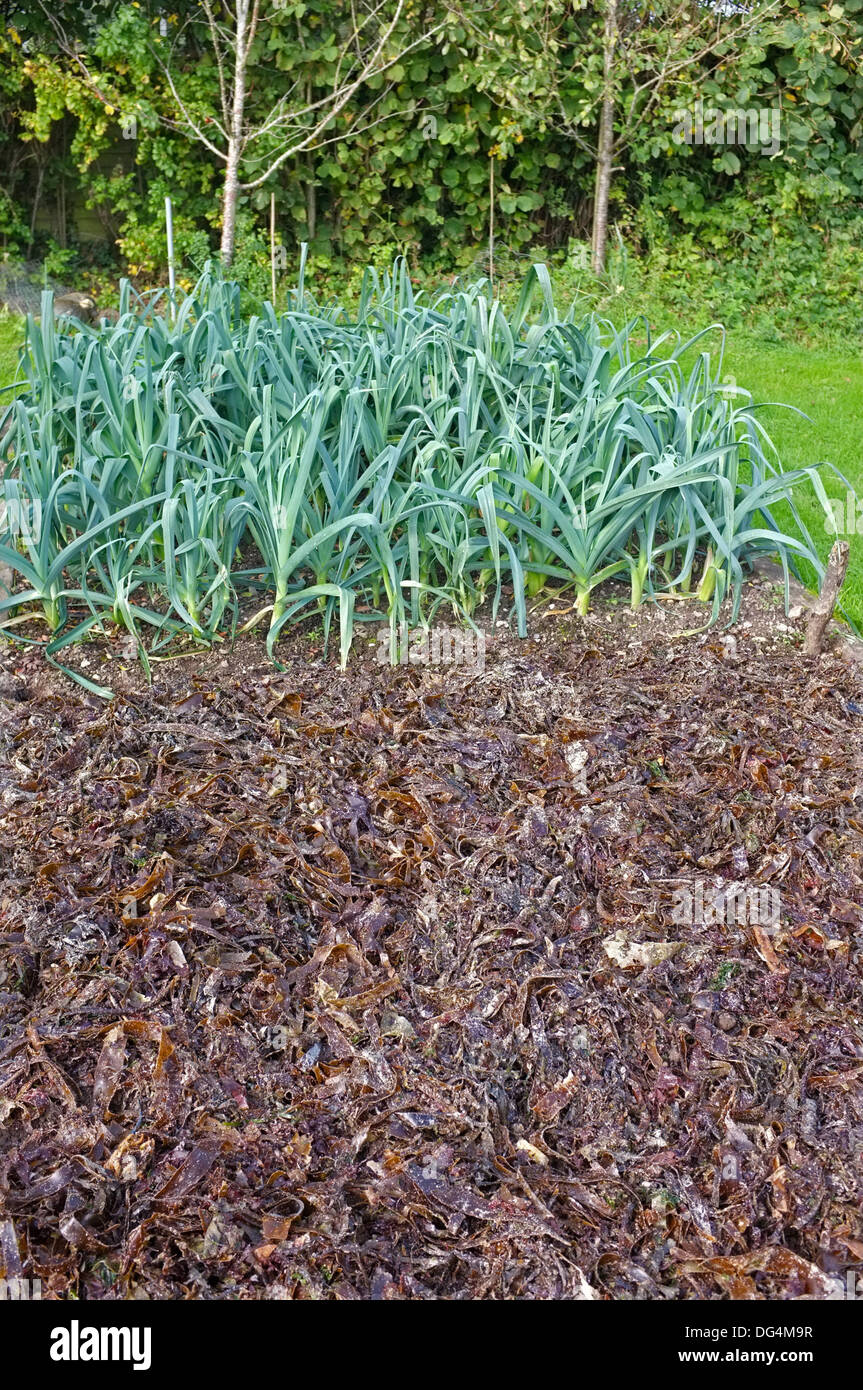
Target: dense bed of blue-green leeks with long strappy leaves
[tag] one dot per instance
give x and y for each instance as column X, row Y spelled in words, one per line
column 419, row 455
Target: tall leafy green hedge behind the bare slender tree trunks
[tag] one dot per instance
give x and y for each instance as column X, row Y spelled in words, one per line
column 415, row 177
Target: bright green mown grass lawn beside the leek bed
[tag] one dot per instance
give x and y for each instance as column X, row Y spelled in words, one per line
column 823, row 383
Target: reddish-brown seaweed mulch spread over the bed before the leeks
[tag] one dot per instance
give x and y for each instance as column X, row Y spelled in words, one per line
column 375, row 985
